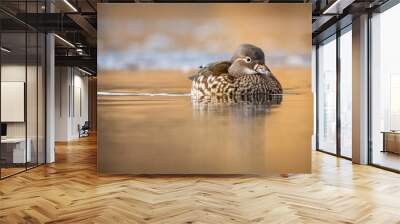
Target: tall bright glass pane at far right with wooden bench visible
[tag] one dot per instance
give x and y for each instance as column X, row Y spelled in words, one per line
column 385, row 89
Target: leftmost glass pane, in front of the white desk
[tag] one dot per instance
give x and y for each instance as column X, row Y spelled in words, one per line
column 14, row 153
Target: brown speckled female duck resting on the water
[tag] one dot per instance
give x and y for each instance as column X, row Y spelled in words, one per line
column 245, row 74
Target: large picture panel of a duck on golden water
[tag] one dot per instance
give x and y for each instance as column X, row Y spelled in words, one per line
column 204, row 88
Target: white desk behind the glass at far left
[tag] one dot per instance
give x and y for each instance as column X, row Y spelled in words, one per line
column 15, row 148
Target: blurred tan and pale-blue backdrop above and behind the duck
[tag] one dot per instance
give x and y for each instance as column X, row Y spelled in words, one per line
column 155, row 38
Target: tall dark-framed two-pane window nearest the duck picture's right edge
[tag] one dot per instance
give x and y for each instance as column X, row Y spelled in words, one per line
column 327, row 86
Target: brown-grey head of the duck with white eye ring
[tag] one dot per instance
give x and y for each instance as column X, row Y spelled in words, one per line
column 248, row 60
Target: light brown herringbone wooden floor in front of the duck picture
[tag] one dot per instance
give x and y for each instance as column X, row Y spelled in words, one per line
column 70, row 191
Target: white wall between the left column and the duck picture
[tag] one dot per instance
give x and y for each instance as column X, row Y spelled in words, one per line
column 71, row 94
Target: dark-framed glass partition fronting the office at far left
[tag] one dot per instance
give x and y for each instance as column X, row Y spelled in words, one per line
column 22, row 88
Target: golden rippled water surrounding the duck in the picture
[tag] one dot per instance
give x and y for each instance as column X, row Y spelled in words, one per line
column 158, row 128
